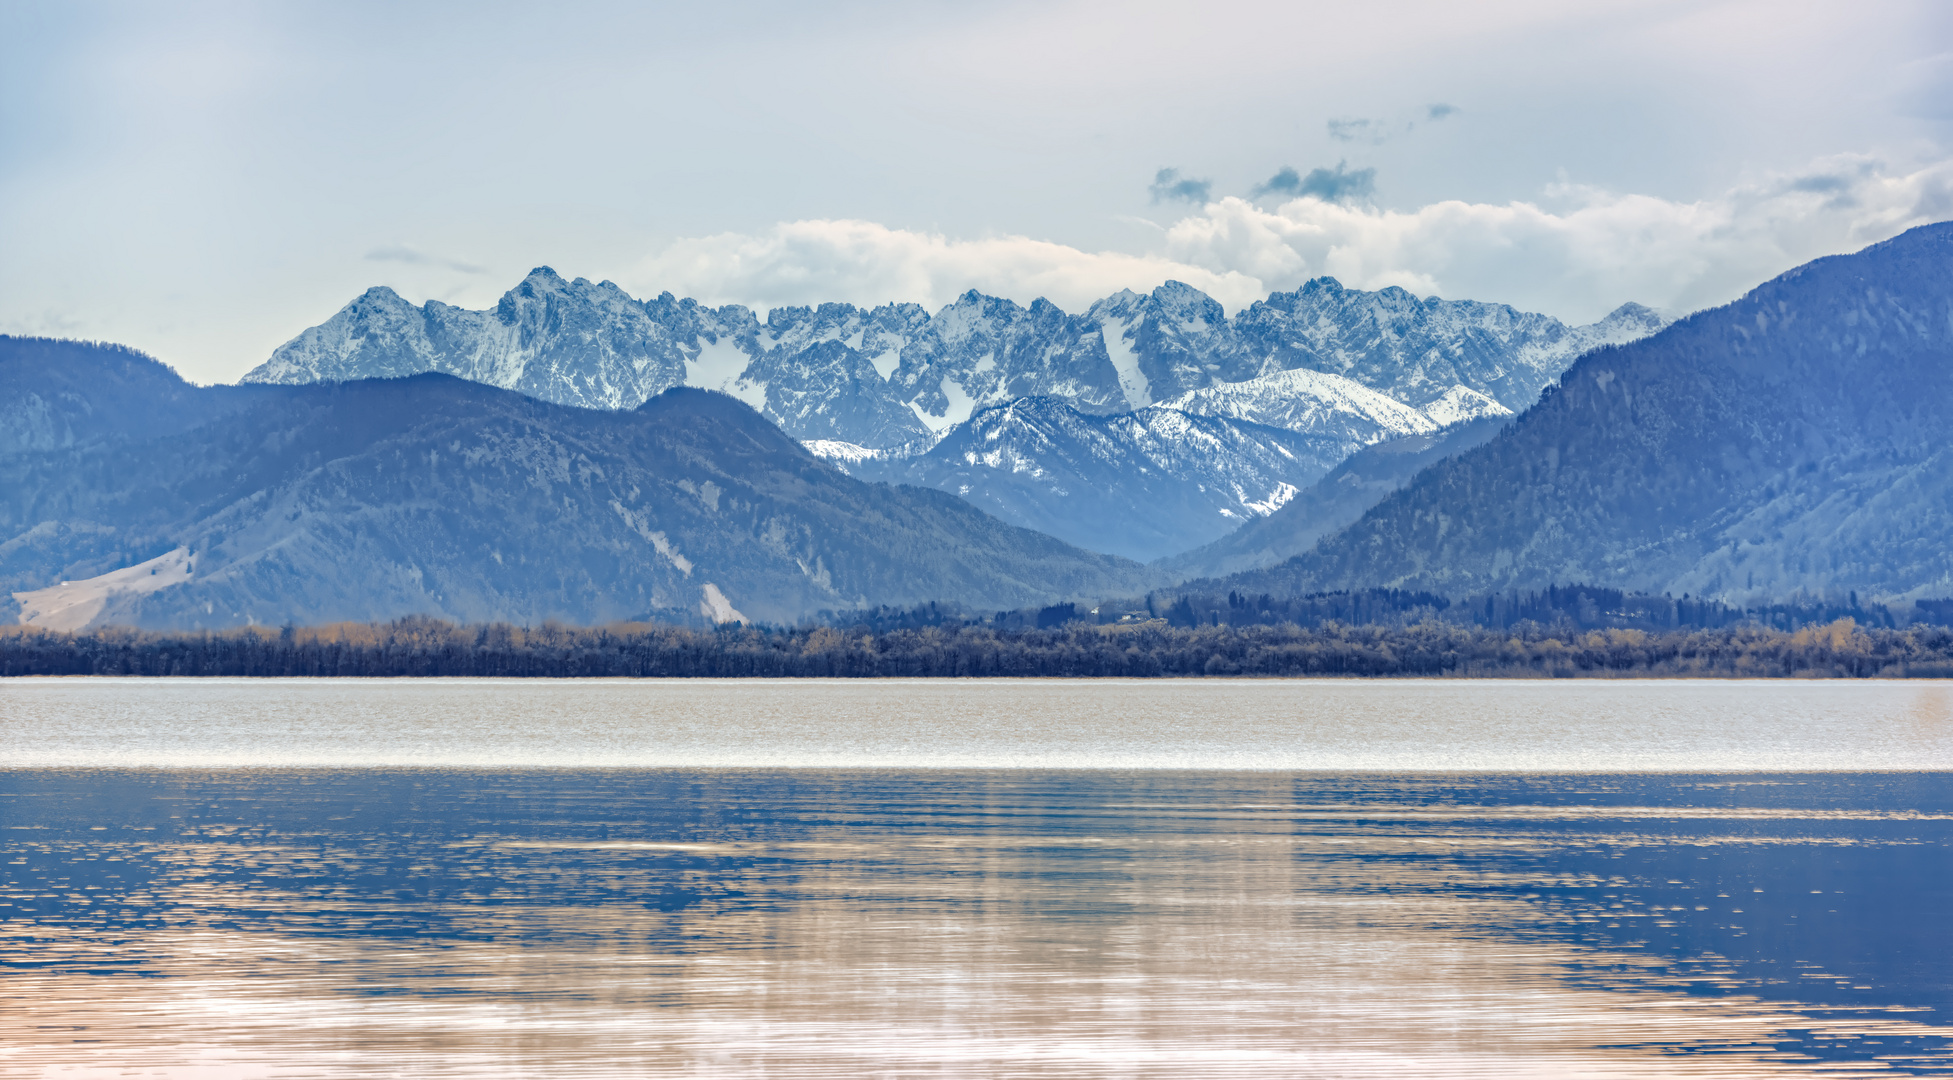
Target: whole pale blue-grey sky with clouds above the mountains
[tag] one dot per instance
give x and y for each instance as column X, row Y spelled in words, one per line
column 206, row 181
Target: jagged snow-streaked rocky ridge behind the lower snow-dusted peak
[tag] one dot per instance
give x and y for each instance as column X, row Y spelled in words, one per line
column 892, row 376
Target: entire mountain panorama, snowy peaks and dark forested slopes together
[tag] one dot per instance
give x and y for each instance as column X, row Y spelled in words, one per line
column 1790, row 444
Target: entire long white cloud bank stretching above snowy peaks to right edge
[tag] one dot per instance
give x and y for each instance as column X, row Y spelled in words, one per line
column 1577, row 253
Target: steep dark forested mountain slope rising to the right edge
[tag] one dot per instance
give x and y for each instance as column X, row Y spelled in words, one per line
column 1796, row 440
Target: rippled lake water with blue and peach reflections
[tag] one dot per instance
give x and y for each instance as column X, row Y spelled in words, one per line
column 976, row 880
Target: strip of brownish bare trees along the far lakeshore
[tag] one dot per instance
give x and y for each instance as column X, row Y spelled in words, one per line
column 1077, row 649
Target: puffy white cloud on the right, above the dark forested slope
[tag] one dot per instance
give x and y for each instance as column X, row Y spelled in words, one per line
column 1593, row 253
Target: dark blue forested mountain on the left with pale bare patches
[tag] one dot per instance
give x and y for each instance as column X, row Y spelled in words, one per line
column 435, row 495
